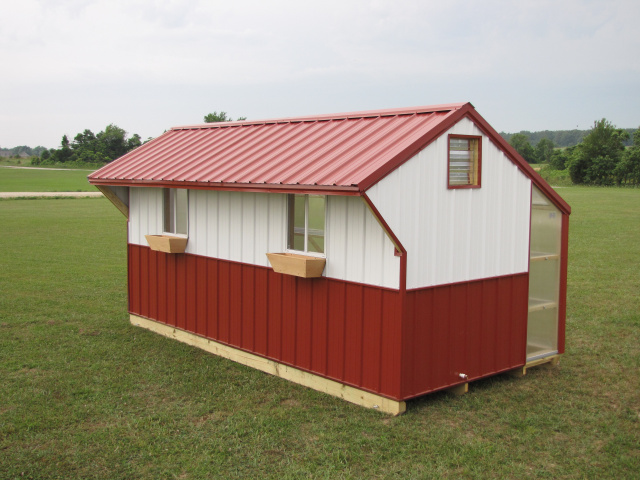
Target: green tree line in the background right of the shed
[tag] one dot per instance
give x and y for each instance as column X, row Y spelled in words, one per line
column 600, row 158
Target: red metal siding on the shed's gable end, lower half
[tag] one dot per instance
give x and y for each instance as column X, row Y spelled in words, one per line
column 476, row 328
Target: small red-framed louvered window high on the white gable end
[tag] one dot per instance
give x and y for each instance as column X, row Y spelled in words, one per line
column 464, row 161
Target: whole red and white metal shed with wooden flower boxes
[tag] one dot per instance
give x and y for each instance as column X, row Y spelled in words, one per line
column 376, row 256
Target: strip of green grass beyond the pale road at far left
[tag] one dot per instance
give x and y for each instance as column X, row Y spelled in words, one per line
column 36, row 180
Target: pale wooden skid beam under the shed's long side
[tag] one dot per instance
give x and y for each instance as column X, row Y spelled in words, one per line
column 321, row 384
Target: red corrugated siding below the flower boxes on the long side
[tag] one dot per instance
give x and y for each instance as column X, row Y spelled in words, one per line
column 343, row 331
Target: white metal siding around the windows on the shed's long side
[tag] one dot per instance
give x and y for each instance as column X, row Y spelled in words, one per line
column 243, row 227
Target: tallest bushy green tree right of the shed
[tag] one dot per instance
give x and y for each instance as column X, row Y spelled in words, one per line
column 596, row 157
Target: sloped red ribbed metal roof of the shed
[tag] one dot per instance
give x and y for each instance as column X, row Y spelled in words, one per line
column 329, row 152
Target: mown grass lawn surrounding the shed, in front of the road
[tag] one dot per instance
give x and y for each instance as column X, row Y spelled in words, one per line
column 86, row 395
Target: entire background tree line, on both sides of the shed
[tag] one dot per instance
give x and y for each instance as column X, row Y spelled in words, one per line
column 603, row 155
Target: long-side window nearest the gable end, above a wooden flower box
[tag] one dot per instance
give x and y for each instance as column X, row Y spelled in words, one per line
column 305, row 231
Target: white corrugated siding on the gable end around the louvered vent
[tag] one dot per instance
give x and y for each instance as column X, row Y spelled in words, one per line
column 460, row 234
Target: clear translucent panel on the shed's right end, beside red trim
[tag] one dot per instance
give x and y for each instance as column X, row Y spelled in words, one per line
column 544, row 276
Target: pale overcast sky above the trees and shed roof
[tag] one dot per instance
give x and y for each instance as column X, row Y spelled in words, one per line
column 148, row 65
